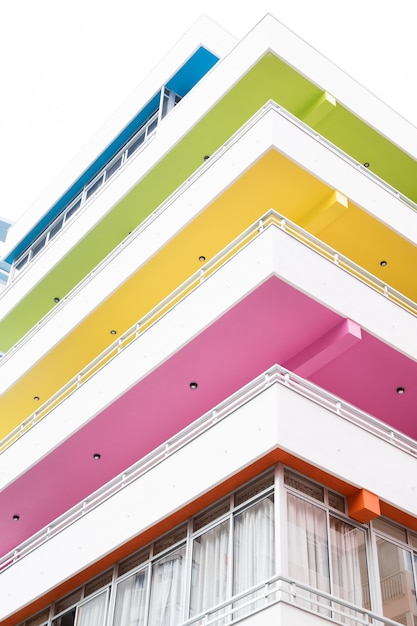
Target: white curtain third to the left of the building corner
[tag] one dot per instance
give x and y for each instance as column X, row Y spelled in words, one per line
column 166, row 604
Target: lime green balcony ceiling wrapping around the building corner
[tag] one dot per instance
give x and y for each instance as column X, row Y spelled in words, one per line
column 269, row 79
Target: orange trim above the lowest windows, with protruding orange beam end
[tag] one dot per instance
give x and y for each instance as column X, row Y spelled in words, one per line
column 202, row 502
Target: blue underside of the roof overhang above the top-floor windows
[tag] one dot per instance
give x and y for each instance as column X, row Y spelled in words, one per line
column 182, row 82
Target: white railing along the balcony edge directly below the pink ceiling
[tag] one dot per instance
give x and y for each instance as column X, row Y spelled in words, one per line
column 275, row 375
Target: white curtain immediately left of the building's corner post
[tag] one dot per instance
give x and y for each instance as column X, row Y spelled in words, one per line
column 254, row 548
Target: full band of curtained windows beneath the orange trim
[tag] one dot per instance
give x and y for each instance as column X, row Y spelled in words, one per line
column 230, row 547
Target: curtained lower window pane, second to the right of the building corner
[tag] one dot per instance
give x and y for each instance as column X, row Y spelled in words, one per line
column 349, row 568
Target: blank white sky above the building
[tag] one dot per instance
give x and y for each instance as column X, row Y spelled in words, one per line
column 66, row 65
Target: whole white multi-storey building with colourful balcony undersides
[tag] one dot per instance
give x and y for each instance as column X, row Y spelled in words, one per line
column 209, row 346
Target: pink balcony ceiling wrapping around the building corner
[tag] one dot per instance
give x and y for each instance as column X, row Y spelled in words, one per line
column 273, row 324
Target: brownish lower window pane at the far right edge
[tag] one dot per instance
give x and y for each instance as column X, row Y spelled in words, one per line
column 397, row 582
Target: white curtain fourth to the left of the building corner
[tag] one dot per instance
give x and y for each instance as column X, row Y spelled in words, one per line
column 131, row 600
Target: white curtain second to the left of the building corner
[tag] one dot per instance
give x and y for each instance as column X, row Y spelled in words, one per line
column 210, row 571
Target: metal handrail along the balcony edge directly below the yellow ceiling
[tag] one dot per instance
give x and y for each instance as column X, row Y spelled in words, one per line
column 271, row 218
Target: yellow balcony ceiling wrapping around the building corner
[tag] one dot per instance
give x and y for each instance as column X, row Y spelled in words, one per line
column 272, row 182
